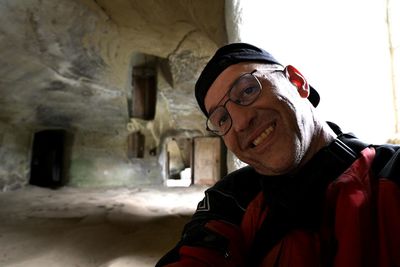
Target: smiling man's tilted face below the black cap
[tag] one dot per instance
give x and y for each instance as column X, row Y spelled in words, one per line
column 272, row 134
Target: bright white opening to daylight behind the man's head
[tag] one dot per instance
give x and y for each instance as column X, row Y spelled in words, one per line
column 342, row 49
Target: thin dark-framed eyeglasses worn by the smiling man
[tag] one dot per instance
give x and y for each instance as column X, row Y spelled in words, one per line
column 244, row 92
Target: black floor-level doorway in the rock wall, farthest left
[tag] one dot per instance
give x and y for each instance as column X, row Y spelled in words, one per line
column 47, row 158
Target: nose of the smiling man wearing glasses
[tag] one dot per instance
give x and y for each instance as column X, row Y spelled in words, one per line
column 241, row 116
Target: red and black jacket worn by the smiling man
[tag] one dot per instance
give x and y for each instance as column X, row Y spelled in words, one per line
column 354, row 223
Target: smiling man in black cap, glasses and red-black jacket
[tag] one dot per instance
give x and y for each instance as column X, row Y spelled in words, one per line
column 311, row 195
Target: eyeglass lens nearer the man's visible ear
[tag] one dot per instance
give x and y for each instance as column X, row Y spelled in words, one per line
column 246, row 90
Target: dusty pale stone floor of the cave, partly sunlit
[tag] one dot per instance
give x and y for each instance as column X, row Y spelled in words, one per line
column 73, row 227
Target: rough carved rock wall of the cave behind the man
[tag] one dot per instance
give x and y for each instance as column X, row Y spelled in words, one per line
column 67, row 64
